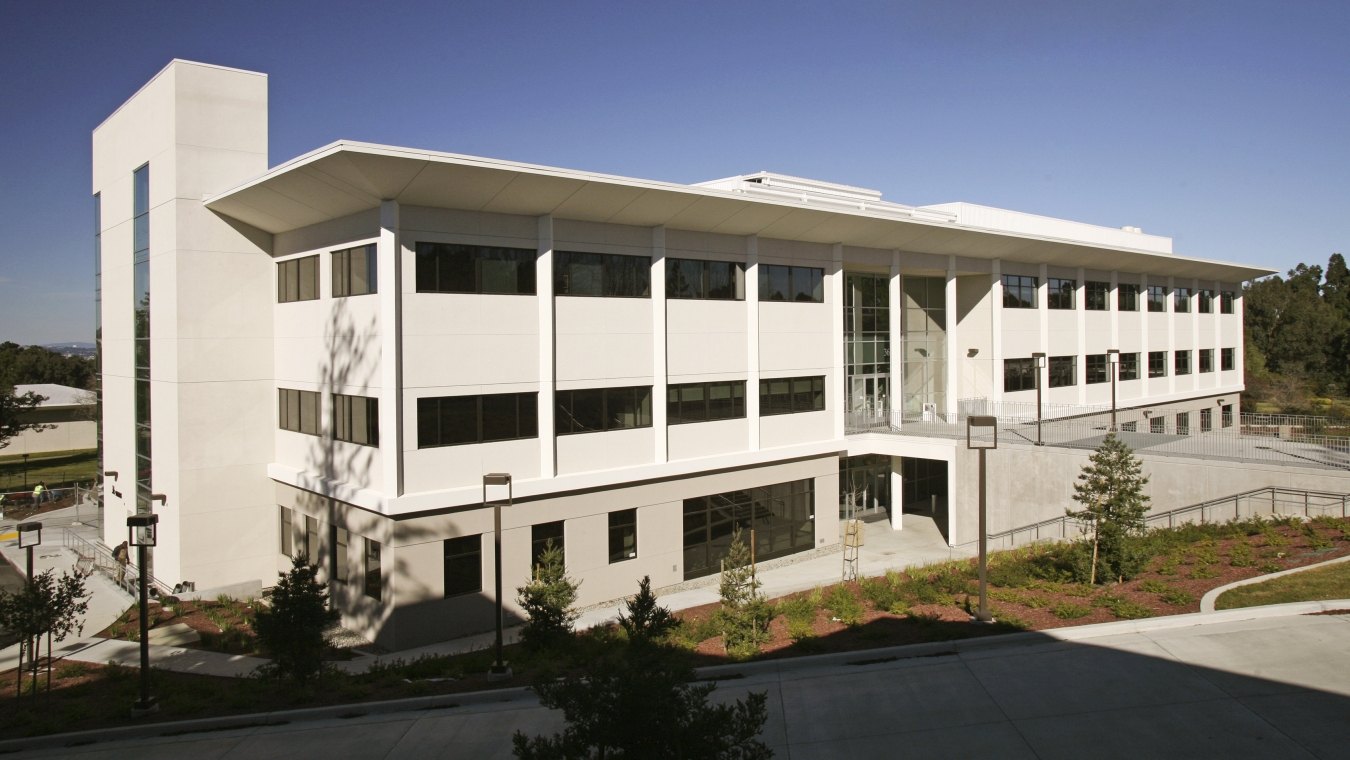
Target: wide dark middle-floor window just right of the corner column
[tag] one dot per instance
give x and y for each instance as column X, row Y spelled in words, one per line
column 454, row 420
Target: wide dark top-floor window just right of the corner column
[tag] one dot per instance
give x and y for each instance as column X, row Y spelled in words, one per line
column 453, row 268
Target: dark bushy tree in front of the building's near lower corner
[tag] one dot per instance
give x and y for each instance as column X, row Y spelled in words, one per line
column 292, row 630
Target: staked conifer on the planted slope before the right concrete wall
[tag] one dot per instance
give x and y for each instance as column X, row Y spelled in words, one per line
column 1114, row 504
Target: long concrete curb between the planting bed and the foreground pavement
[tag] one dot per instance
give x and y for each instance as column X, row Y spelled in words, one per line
column 524, row 696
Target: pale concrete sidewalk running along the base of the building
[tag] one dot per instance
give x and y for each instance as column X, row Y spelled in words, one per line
column 919, row 543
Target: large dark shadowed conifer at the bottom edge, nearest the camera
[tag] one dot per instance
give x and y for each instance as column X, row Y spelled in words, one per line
column 638, row 701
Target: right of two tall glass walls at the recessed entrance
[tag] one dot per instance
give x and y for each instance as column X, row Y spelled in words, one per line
column 924, row 338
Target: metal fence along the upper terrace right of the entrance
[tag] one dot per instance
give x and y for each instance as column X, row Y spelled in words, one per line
column 1316, row 442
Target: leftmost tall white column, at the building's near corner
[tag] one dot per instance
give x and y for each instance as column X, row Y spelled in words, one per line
column 389, row 254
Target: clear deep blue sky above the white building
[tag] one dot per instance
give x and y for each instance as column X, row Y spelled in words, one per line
column 1222, row 125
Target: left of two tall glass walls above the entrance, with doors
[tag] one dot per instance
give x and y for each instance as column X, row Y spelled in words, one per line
column 867, row 342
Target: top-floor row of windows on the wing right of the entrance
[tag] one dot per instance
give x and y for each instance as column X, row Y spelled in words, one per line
column 1020, row 294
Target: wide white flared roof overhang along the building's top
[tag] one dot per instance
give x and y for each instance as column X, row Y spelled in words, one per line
column 344, row 179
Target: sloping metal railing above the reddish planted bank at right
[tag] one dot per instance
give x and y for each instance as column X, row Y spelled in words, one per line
column 1270, row 500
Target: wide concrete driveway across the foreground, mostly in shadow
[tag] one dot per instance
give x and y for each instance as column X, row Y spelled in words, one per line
column 1243, row 684
